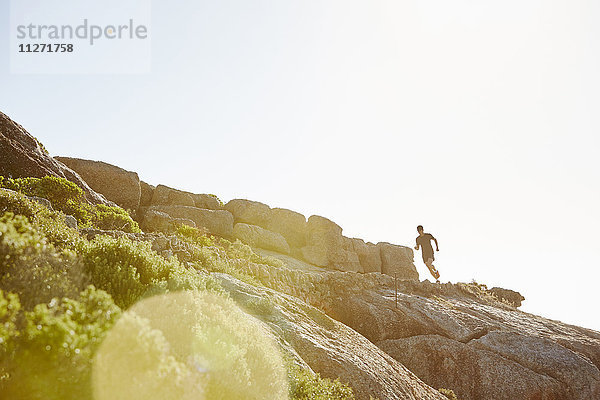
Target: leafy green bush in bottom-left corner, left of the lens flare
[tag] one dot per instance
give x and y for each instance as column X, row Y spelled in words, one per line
column 52, row 356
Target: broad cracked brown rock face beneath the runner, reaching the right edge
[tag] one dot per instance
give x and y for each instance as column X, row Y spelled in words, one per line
column 462, row 338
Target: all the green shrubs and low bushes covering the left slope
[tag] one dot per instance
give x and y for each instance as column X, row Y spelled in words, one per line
column 61, row 295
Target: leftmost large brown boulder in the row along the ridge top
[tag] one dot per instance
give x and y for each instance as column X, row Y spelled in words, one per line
column 116, row 184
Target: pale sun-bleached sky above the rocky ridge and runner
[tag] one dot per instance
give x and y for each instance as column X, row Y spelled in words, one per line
column 476, row 119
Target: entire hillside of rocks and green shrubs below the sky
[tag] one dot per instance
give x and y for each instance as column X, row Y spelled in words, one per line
column 113, row 288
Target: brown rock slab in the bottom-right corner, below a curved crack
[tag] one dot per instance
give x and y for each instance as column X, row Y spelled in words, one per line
column 580, row 378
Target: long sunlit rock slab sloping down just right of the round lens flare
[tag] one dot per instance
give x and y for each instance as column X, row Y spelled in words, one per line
column 328, row 347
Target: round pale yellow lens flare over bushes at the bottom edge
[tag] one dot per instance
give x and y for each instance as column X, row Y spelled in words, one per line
column 188, row 345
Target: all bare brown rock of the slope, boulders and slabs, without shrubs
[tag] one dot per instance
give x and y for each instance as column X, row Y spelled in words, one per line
column 333, row 301
